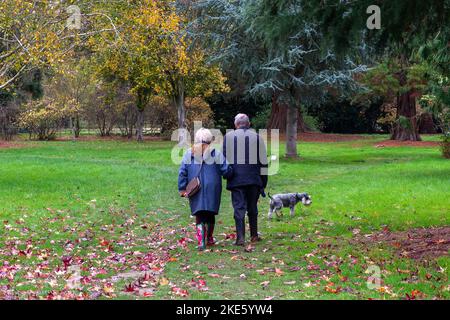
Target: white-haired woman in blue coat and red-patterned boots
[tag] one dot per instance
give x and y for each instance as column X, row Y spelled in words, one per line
column 209, row 166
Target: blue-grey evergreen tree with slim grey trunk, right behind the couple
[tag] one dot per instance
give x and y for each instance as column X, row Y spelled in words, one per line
column 277, row 48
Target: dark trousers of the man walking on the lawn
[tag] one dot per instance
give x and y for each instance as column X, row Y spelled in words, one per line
column 245, row 200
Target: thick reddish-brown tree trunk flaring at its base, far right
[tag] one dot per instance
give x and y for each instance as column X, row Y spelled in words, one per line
column 405, row 127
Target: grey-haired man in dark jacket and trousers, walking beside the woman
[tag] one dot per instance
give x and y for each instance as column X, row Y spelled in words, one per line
column 245, row 150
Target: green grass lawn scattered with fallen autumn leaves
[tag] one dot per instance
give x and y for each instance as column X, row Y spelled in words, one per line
column 111, row 209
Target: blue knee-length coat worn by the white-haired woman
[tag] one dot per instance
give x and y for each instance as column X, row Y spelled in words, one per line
column 214, row 168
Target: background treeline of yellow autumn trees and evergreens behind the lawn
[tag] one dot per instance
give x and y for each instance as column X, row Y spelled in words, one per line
column 148, row 67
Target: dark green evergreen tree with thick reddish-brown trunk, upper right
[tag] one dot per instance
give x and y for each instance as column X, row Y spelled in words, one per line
column 405, row 26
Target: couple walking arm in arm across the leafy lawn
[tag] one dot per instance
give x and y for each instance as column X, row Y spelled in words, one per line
column 243, row 157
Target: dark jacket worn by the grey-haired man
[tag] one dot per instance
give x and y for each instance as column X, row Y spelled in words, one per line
column 246, row 151
